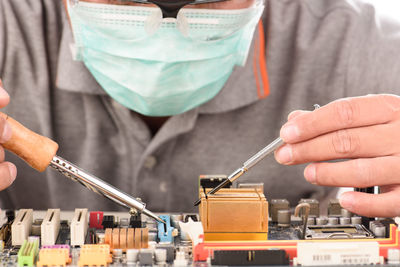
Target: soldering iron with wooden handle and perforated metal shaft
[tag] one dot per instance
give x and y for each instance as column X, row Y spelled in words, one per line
column 40, row 152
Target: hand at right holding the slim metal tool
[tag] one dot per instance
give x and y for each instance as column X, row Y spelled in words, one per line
column 365, row 130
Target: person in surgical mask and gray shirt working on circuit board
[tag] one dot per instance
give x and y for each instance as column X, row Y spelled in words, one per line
column 150, row 104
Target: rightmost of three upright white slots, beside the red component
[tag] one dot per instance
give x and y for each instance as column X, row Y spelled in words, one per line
column 79, row 226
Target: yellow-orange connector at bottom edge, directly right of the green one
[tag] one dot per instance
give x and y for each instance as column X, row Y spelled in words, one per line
column 53, row 257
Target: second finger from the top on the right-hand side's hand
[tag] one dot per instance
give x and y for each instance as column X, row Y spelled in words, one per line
column 365, row 142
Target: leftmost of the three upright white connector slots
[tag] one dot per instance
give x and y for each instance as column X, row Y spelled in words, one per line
column 21, row 227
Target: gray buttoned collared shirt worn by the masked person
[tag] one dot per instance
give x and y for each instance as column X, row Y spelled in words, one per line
column 317, row 51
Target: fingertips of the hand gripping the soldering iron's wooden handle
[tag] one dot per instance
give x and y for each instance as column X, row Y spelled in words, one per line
column 8, row 171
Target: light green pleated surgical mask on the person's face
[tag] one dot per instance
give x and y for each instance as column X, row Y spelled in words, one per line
column 156, row 66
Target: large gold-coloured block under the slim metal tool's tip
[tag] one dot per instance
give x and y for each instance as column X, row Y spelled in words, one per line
column 234, row 214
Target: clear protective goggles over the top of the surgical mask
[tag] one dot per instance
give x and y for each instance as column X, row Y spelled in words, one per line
column 200, row 20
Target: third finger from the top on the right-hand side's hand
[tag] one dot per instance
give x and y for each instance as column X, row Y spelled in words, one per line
column 355, row 173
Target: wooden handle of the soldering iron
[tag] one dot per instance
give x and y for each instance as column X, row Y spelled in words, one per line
column 36, row 150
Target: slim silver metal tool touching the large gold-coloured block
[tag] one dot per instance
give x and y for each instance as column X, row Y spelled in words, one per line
column 246, row 166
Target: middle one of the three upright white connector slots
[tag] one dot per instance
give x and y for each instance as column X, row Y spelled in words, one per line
column 50, row 227
